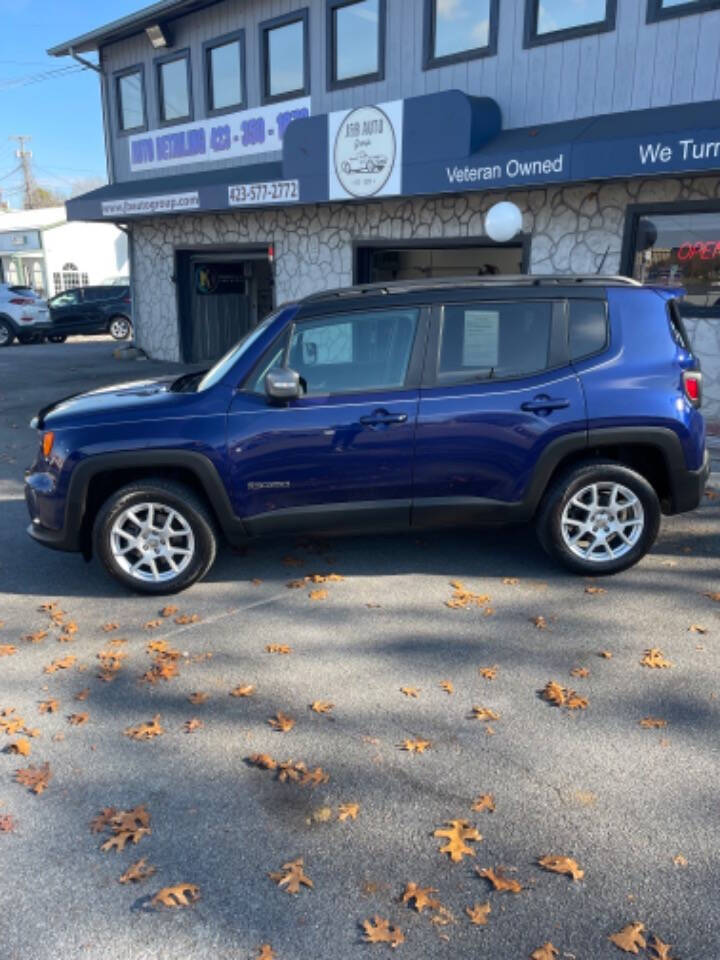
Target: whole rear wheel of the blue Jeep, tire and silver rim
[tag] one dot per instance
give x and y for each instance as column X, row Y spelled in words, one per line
column 599, row 518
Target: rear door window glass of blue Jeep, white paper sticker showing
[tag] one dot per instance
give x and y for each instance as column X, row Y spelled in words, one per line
column 487, row 340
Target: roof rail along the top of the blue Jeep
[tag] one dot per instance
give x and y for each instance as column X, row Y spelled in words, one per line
column 525, row 280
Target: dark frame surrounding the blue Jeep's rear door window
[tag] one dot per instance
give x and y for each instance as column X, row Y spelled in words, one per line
column 558, row 346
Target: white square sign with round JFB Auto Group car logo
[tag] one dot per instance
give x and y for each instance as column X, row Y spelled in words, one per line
column 365, row 151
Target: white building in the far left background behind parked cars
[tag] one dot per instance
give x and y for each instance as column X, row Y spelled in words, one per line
column 42, row 250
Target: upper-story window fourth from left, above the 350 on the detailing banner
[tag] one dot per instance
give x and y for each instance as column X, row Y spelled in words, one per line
column 284, row 56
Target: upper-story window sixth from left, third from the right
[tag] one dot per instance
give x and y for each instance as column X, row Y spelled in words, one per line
column 458, row 30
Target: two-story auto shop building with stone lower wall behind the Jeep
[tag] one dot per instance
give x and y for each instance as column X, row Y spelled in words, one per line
column 261, row 150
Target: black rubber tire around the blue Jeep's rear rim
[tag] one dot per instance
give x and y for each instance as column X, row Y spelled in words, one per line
column 549, row 523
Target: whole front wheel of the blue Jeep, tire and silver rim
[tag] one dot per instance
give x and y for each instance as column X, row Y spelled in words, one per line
column 155, row 536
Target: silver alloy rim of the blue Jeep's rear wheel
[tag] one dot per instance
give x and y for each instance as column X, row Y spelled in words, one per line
column 602, row 522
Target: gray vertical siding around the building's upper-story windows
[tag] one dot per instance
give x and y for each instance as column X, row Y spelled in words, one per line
column 636, row 66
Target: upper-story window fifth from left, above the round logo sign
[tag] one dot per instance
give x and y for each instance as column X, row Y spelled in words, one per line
column 356, row 42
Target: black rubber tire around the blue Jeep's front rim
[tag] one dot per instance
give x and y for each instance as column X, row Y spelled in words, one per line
column 175, row 496
